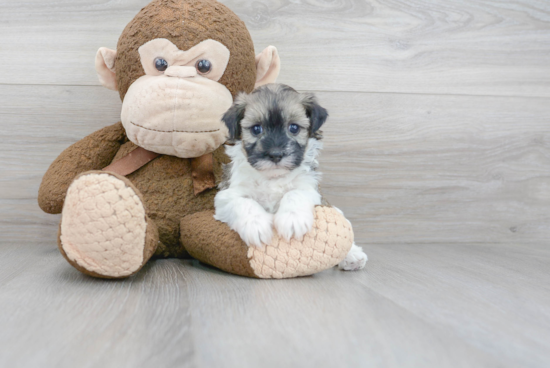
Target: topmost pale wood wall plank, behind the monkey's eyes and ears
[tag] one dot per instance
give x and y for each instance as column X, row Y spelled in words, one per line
column 445, row 47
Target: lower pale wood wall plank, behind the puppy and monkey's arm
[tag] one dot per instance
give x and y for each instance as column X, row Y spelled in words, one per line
column 404, row 168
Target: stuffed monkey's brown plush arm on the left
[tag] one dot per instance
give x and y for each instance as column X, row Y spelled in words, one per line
column 94, row 152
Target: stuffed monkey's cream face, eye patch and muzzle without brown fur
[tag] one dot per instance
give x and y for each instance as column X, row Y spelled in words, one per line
column 176, row 107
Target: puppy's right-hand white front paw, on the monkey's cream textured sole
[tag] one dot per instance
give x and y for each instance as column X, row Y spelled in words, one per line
column 295, row 215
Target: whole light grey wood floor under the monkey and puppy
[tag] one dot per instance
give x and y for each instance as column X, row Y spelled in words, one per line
column 414, row 306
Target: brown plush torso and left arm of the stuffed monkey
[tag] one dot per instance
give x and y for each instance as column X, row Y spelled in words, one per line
column 165, row 184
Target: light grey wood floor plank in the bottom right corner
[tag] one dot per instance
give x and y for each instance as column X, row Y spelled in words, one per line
column 480, row 292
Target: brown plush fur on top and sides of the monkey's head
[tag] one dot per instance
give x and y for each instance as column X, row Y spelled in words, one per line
column 187, row 23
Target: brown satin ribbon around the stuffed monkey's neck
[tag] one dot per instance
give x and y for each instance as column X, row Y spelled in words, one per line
column 202, row 168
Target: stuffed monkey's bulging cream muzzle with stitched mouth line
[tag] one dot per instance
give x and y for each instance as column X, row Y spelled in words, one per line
column 169, row 122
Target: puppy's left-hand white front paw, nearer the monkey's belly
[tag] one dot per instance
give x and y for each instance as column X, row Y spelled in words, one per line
column 245, row 216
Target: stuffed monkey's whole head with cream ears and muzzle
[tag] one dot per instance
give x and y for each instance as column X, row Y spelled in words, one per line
column 195, row 56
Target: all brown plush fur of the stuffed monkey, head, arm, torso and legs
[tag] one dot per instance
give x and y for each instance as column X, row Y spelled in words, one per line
column 165, row 185
